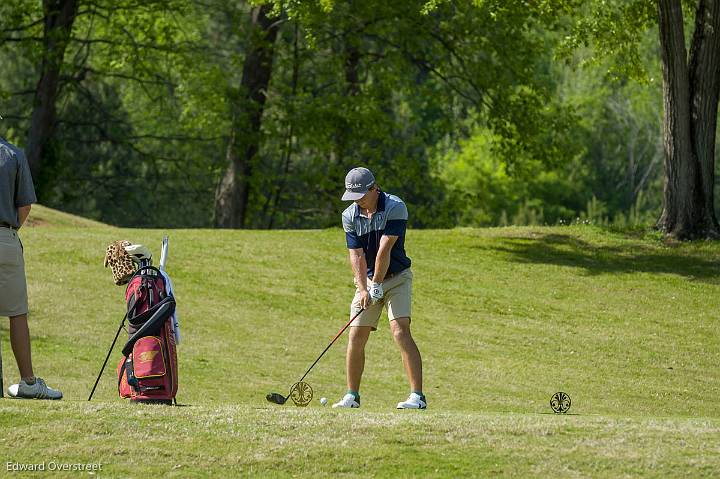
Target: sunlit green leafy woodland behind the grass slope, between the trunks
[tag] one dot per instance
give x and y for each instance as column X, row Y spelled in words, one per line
column 461, row 108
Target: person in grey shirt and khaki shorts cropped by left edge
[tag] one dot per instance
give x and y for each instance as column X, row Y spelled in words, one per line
column 16, row 196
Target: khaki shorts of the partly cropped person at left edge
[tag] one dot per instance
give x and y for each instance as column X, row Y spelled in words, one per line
column 13, row 287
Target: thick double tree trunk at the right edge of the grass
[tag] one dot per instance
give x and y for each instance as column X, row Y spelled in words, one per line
column 690, row 109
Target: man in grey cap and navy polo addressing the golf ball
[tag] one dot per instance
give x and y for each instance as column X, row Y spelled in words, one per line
column 375, row 232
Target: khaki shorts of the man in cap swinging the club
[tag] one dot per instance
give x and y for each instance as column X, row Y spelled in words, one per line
column 397, row 298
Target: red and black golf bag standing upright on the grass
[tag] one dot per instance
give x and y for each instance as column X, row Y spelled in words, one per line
column 148, row 369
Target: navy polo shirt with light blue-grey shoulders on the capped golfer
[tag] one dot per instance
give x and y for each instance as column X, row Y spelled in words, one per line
column 390, row 219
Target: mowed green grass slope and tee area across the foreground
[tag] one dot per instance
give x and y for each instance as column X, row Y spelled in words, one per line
column 627, row 325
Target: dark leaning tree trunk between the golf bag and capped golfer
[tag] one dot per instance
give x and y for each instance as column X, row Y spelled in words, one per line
column 233, row 192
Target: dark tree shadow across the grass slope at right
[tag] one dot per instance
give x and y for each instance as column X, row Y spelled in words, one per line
column 570, row 251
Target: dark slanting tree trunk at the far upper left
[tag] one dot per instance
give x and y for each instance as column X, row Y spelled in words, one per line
column 59, row 16
